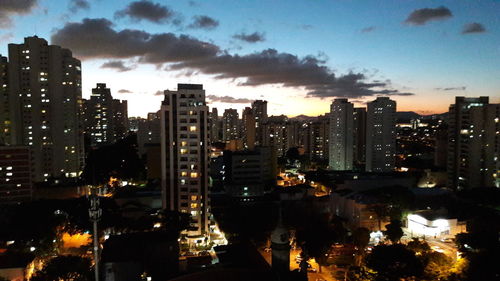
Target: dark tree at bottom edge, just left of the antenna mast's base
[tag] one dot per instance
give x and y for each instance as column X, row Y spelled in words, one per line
column 65, row 268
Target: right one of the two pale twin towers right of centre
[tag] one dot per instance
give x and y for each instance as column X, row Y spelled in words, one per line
column 381, row 135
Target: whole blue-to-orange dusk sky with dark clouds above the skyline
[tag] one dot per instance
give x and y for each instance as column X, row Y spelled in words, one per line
column 297, row 54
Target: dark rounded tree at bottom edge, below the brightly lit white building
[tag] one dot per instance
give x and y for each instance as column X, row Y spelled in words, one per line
column 393, row 262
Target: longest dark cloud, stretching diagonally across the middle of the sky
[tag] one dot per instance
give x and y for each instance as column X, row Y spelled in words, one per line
column 185, row 53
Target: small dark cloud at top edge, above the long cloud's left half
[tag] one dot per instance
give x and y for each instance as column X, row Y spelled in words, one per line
column 147, row 10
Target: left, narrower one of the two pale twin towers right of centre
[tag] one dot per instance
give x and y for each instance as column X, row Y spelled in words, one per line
column 341, row 135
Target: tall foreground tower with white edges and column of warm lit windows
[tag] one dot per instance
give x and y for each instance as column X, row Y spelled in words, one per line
column 185, row 155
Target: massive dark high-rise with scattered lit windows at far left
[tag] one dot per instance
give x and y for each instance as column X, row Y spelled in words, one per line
column 44, row 106
